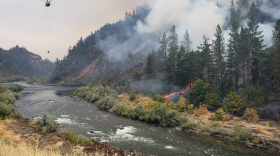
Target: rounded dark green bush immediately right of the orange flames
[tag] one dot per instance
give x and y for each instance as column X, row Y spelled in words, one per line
column 199, row 91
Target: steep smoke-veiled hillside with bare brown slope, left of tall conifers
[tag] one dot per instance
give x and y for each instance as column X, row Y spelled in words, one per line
column 109, row 55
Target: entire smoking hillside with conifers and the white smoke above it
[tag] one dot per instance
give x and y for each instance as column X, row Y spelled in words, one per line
column 227, row 44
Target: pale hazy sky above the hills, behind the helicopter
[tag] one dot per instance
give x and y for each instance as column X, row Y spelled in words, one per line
column 25, row 22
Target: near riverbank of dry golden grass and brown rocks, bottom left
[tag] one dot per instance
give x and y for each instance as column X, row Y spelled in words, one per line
column 20, row 132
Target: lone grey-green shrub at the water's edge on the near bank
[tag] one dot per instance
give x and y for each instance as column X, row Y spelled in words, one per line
column 49, row 123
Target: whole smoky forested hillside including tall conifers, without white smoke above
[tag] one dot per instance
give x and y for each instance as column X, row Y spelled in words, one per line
column 151, row 63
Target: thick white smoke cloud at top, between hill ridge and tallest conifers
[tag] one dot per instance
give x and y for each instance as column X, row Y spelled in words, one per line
column 199, row 17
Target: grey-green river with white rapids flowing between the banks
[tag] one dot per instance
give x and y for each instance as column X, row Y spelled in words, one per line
column 82, row 117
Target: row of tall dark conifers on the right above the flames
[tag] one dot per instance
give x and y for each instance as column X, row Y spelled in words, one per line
column 244, row 61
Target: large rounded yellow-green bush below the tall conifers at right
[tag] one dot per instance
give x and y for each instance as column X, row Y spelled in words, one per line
column 233, row 102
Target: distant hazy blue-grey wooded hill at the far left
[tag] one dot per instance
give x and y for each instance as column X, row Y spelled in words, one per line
column 18, row 61
